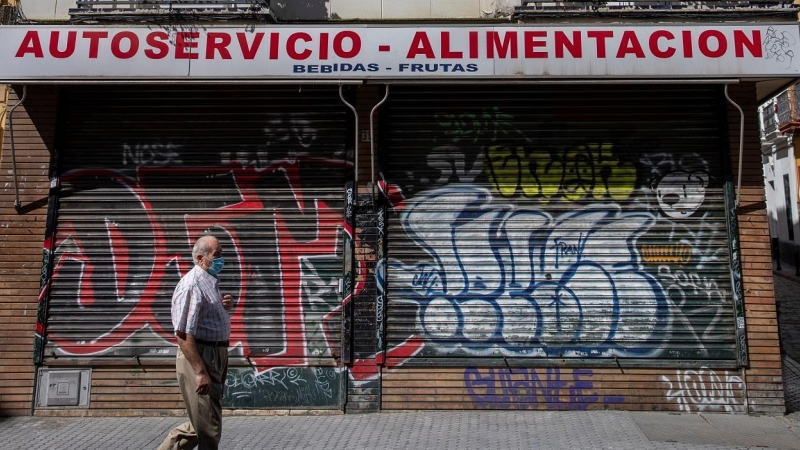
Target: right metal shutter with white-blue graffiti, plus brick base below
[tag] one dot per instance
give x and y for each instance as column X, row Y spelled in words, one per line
column 548, row 235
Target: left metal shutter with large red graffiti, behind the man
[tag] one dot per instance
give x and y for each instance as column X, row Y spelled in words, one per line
column 143, row 172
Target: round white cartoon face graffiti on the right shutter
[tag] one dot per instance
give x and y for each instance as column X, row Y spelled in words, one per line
column 680, row 194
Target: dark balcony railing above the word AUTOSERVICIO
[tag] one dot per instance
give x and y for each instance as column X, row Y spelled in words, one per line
column 175, row 10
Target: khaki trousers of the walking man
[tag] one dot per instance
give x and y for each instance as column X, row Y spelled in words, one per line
column 204, row 428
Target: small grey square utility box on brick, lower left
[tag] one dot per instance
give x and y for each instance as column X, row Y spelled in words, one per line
column 63, row 388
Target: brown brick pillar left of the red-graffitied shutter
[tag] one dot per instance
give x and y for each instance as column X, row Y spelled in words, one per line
column 21, row 238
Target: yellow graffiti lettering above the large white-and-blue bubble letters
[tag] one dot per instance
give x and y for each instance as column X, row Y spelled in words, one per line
column 588, row 171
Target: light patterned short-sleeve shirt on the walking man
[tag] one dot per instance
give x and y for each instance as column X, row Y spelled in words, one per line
column 197, row 307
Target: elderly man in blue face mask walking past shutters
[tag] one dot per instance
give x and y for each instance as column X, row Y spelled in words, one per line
column 202, row 328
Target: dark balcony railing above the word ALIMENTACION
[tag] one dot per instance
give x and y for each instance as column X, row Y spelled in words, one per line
column 651, row 8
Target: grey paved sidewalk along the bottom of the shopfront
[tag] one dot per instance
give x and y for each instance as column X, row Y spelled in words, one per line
column 462, row 430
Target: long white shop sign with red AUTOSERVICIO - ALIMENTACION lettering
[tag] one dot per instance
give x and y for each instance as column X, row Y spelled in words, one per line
column 41, row 53
